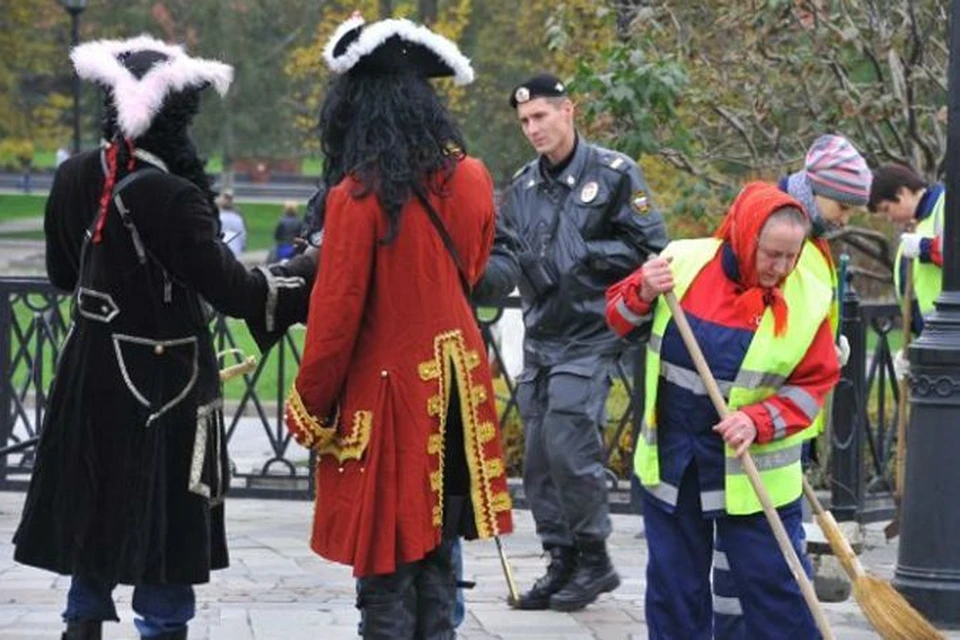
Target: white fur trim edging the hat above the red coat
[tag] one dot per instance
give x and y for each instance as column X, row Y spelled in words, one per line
column 379, row 32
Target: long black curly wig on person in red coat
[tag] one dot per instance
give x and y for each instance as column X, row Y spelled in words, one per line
column 390, row 131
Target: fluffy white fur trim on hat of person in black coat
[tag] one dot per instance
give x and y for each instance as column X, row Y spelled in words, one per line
column 139, row 101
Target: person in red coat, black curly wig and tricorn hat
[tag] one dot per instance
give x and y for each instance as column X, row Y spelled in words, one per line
column 394, row 392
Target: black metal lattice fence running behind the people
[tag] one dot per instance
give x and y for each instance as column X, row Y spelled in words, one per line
column 34, row 318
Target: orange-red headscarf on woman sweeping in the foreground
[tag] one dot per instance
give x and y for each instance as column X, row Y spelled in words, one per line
column 740, row 229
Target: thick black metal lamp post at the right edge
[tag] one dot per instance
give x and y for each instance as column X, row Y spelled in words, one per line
column 928, row 561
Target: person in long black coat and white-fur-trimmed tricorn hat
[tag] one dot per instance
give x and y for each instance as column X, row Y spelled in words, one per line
column 131, row 465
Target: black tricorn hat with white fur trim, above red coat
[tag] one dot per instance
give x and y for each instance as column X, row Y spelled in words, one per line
column 395, row 46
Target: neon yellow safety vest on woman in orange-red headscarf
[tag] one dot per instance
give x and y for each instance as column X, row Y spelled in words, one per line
column 767, row 365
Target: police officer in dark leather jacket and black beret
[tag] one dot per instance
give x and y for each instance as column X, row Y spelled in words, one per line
column 576, row 219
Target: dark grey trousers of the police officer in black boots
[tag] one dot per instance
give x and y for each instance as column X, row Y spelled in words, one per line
column 563, row 408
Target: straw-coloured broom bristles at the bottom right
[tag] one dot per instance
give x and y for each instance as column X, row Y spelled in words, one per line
column 890, row 613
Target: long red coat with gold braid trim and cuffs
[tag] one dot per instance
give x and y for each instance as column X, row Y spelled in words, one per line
column 372, row 390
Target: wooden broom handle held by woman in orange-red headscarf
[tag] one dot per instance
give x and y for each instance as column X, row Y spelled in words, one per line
column 779, row 532
